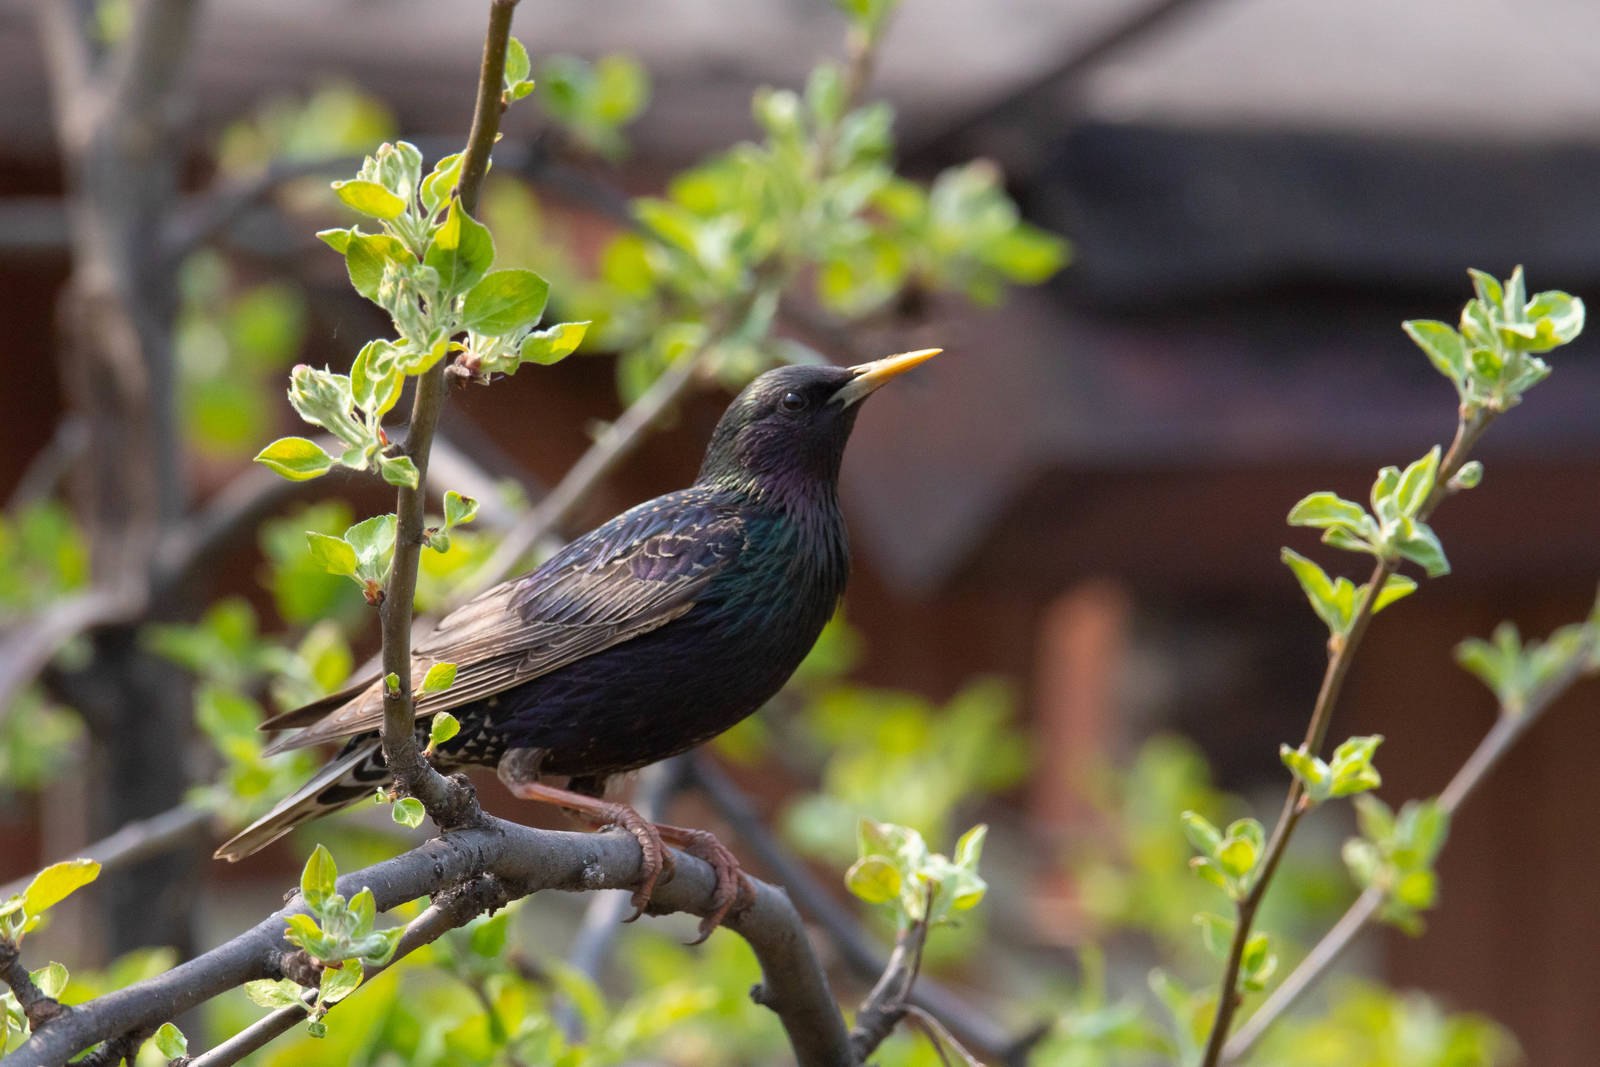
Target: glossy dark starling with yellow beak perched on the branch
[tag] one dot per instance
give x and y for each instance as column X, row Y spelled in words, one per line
column 642, row 639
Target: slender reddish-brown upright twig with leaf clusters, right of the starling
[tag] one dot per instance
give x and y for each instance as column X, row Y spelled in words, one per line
column 1342, row 652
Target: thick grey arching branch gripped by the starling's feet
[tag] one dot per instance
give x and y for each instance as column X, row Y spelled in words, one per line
column 522, row 858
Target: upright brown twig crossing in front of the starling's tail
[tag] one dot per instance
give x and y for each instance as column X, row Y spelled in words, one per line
column 414, row 775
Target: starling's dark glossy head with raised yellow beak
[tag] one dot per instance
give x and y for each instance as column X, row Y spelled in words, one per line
column 788, row 430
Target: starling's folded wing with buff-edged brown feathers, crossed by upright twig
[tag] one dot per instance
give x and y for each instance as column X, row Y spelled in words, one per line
column 639, row 572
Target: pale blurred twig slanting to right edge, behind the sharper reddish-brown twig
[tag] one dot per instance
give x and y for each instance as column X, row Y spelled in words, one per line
column 1510, row 727
